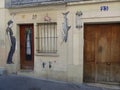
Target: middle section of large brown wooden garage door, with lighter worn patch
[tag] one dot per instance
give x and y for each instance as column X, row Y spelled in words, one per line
column 103, row 52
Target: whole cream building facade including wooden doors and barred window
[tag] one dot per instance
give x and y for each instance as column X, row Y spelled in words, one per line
column 90, row 54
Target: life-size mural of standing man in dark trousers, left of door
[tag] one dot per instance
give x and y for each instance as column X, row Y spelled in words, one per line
column 12, row 40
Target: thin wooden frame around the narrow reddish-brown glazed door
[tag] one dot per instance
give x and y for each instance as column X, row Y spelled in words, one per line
column 20, row 42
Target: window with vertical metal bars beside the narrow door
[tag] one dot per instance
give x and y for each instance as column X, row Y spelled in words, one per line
column 47, row 38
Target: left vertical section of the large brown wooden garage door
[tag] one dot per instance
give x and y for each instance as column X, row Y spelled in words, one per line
column 89, row 72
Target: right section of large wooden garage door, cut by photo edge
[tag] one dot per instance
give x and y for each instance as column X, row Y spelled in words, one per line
column 115, row 54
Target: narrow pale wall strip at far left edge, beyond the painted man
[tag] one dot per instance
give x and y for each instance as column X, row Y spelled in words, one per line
column 2, row 34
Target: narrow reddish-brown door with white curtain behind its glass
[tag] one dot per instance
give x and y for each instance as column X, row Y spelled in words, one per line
column 27, row 46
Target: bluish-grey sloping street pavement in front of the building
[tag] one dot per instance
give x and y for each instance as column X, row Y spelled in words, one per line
column 16, row 82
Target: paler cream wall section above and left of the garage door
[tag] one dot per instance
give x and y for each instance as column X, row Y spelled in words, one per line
column 91, row 14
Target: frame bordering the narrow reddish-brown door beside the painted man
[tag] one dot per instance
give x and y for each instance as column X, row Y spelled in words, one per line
column 18, row 26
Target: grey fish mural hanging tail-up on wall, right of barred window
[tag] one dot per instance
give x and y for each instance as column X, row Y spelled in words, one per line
column 65, row 27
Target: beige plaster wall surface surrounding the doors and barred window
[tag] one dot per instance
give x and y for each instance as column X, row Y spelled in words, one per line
column 67, row 64
